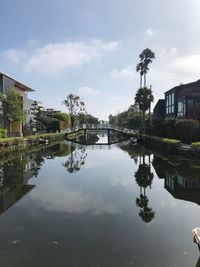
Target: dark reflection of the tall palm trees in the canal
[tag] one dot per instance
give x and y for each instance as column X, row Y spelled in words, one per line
column 144, row 178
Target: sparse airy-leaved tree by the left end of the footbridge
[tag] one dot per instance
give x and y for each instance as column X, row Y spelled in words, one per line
column 74, row 105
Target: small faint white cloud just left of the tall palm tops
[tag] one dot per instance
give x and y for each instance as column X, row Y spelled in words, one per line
column 124, row 73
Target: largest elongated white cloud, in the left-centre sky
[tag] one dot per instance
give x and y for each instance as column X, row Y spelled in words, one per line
column 54, row 58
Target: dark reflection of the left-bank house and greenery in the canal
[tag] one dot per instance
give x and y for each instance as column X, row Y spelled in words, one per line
column 16, row 172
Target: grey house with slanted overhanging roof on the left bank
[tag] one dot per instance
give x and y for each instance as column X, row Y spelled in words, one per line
column 6, row 82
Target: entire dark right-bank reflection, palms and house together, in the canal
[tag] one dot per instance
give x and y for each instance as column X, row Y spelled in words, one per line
column 181, row 177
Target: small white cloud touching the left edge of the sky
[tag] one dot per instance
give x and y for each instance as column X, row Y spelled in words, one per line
column 14, row 55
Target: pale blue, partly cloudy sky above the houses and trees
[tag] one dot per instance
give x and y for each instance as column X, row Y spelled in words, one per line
column 91, row 47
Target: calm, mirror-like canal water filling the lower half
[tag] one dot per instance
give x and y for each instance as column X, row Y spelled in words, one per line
column 98, row 206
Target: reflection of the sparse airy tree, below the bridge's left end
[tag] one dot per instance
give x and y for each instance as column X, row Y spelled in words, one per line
column 75, row 160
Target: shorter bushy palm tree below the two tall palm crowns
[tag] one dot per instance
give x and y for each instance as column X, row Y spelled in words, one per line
column 143, row 98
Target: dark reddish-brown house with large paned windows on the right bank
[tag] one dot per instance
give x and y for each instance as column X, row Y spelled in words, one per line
column 181, row 101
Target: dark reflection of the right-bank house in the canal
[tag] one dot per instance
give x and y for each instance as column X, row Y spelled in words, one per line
column 181, row 177
